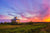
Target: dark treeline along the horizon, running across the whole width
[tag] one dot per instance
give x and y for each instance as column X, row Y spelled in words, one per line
column 16, row 23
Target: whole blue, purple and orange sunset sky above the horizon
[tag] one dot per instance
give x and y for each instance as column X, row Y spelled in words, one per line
column 25, row 10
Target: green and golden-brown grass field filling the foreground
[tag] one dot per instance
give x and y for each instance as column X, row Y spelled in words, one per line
column 34, row 28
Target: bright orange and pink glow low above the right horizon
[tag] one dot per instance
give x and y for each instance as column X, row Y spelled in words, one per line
column 37, row 19
